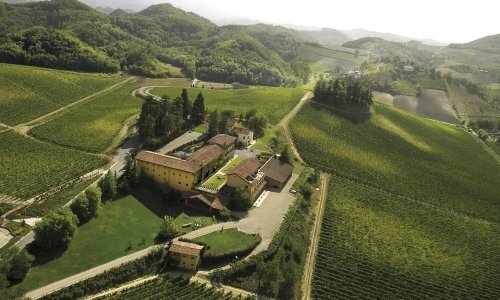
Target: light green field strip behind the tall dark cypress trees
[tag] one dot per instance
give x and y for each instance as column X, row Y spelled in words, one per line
column 273, row 103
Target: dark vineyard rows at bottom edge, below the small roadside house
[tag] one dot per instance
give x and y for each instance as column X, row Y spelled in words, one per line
column 171, row 288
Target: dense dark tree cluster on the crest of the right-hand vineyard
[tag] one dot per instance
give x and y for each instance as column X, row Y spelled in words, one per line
column 343, row 94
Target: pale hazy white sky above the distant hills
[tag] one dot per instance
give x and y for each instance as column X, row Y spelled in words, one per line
column 447, row 21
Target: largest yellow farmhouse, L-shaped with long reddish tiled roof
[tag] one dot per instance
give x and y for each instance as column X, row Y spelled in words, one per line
column 184, row 174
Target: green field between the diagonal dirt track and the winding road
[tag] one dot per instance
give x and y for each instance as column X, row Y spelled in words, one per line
column 93, row 125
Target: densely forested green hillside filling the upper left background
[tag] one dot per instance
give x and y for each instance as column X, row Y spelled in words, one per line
column 67, row 34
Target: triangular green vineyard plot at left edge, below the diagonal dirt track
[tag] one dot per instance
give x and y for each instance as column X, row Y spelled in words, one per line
column 31, row 167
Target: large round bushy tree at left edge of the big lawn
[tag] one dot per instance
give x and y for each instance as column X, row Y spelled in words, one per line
column 56, row 229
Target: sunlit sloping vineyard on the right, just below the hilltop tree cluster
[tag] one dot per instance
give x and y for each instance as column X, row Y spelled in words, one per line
column 405, row 155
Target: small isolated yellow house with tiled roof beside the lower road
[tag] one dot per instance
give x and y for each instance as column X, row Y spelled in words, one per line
column 185, row 255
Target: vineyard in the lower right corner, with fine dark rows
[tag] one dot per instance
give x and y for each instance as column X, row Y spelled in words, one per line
column 374, row 245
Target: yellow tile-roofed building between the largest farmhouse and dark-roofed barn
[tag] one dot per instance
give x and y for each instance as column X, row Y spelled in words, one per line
column 247, row 175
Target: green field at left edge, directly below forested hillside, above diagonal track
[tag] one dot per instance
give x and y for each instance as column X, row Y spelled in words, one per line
column 30, row 92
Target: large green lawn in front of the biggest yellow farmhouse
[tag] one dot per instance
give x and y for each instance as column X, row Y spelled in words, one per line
column 132, row 220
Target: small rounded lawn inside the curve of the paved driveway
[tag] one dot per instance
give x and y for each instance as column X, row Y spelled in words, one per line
column 229, row 240
